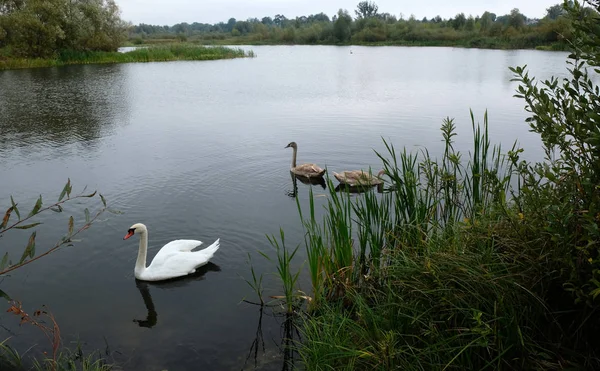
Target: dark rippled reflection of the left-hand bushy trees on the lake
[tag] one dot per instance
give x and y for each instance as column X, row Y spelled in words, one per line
column 57, row 106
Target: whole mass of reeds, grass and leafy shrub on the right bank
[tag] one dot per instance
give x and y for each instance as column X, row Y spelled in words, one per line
column 468, row 261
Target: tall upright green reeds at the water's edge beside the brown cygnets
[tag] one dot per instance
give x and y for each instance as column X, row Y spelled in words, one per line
column 426, row 201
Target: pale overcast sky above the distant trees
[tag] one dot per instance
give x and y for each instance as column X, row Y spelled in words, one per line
column 170, row 12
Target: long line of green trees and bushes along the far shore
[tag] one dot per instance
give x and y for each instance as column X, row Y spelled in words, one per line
column 514, row 30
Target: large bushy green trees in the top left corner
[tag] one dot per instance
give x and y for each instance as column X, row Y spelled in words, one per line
column 45, row 28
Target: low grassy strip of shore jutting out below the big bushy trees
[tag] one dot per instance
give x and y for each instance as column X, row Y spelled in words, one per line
column 154, row 53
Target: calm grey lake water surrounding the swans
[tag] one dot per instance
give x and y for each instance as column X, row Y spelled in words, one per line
column 196, row 150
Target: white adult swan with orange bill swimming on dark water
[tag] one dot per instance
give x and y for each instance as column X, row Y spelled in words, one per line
column 175, row 259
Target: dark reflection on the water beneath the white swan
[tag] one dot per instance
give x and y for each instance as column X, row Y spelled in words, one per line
column 144, row 287
